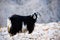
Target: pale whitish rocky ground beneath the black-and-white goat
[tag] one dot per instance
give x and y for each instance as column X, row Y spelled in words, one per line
column 48, row 31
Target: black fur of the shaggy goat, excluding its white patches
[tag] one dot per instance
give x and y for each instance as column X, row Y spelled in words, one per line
column 16, row 21
